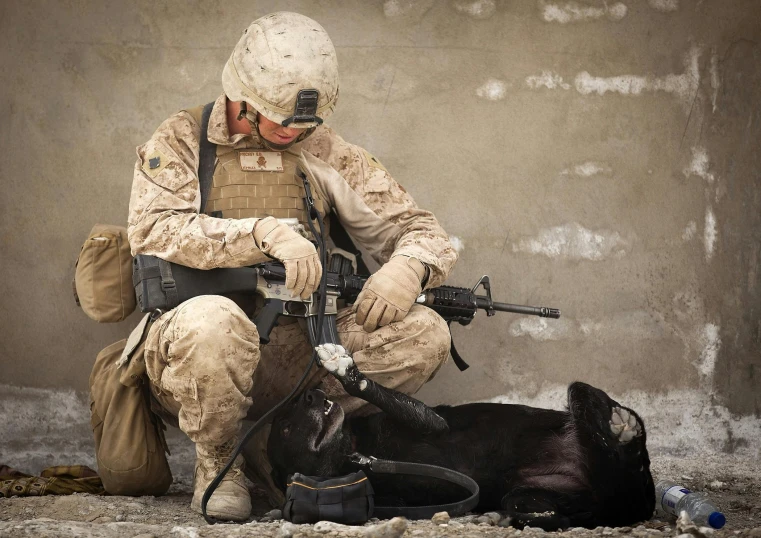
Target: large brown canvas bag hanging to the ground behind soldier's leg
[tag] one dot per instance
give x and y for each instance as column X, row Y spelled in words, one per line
column 129, row 439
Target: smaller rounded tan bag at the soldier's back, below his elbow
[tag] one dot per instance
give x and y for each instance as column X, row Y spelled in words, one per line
column 103, row 276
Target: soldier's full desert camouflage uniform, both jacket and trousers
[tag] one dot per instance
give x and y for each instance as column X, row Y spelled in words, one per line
column 203, row 358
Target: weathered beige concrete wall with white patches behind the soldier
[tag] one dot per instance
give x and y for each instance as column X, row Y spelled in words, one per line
column 596, row 157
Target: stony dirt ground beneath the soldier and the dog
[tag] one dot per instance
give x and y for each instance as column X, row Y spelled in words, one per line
column 733, row 483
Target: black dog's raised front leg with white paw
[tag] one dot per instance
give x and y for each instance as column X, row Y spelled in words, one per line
column 398, row 406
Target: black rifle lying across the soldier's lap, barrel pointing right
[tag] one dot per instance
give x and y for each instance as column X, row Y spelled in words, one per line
column 161, row 286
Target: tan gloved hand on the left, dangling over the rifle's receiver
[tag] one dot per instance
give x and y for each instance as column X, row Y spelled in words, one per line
column 298, row 254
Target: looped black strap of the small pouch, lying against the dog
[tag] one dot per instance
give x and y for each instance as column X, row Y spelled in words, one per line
column 420, row 469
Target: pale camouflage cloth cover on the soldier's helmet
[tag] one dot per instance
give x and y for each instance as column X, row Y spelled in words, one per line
column 277, row 56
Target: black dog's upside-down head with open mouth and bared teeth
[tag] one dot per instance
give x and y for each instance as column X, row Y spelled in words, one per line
column 308, row 437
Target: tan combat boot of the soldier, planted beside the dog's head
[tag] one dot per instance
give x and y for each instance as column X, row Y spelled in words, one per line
column 231, row 500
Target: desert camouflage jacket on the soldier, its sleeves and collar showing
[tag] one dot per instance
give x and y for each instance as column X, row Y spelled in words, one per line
column 374, row 209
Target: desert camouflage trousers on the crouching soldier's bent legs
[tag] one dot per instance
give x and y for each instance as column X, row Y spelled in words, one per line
column 207, row 368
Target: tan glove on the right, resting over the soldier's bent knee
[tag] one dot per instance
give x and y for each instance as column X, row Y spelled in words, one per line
column 390, row 293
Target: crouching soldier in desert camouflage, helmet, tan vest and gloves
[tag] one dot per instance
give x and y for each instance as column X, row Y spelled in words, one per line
column 203, row 358
